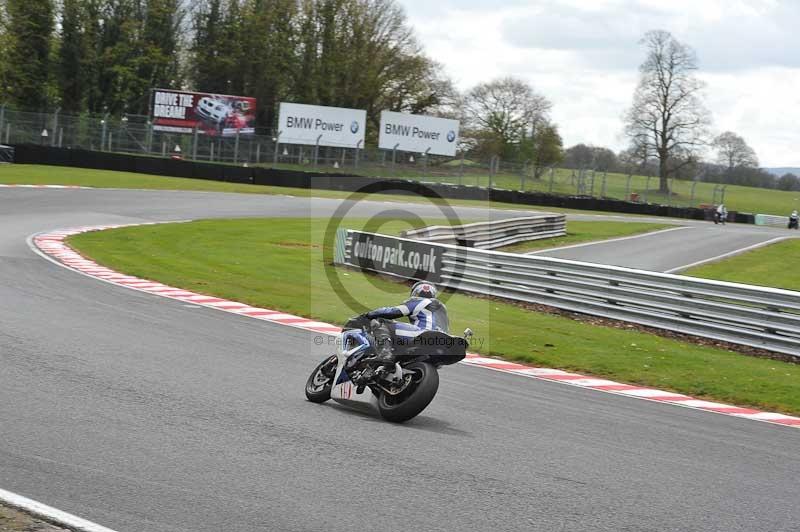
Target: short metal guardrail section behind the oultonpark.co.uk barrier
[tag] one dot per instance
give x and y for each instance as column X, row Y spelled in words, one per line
column 495, row 233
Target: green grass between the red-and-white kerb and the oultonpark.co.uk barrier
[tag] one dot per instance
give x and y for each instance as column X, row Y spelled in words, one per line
column 277, row 263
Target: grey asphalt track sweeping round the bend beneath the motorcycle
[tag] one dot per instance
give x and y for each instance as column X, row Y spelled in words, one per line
column 145, row 414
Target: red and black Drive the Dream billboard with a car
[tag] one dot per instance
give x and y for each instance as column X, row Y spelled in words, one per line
column 212, row 114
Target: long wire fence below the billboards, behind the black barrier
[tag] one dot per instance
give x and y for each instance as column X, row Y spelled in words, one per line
column 134, row 134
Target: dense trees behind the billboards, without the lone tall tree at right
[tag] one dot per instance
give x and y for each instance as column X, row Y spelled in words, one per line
column 104, row 56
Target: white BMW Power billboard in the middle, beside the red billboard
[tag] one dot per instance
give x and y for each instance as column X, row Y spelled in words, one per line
column 333, row 126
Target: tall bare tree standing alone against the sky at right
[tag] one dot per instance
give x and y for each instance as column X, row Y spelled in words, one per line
column 667, row 120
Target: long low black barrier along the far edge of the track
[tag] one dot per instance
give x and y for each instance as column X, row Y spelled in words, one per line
column 35, row 154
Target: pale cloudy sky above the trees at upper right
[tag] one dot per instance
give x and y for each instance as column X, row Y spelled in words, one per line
column 584, row 56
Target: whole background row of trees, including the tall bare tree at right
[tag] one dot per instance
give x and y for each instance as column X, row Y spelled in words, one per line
column 103, row 56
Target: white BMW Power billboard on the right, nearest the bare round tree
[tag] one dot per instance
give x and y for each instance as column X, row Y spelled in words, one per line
column 418, row 133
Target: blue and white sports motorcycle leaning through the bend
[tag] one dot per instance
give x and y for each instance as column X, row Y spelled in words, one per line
column 353, row 376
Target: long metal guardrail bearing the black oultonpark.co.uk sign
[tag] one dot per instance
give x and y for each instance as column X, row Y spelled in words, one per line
column 766, row 318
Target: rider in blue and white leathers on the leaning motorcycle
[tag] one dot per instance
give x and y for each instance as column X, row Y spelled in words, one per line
column 424, row 311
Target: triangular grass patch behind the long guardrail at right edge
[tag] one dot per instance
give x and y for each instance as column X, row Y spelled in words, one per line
column 774, row 265
